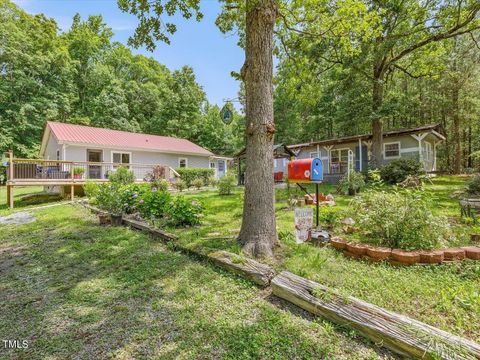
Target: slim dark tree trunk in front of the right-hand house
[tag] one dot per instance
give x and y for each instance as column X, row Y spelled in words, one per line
column 377, row 121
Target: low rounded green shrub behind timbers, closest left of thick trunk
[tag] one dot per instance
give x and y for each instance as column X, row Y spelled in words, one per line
column 184, row 212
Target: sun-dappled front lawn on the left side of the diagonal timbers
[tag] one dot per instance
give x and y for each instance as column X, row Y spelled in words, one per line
column 75, row 289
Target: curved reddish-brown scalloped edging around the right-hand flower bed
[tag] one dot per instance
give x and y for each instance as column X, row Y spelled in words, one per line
column 402, row 257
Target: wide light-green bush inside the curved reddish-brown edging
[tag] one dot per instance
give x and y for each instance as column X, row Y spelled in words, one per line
column 399, row 219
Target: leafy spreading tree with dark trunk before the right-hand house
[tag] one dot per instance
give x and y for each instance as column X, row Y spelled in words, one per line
column 377, row 38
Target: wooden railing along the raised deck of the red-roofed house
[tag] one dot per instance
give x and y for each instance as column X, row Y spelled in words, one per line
column 45, row 171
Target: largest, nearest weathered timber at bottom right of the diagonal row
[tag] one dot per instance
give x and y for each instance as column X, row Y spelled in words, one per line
column 399, row 333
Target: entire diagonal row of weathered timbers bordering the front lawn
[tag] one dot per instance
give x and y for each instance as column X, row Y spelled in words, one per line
column 399, row 333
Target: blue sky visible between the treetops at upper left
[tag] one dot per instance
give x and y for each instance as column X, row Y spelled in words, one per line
column 200, row 45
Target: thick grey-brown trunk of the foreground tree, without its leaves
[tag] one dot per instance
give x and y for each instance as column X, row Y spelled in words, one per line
column 258, row 234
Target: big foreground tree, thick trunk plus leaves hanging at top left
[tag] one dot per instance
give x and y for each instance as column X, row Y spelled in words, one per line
column 258, row 234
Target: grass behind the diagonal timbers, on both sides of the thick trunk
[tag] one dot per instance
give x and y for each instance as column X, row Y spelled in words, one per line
column 446, row 296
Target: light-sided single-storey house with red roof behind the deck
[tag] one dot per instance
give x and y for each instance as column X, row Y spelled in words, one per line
column 104, row 149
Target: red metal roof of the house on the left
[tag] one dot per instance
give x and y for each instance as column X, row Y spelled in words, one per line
column 88, row 135
